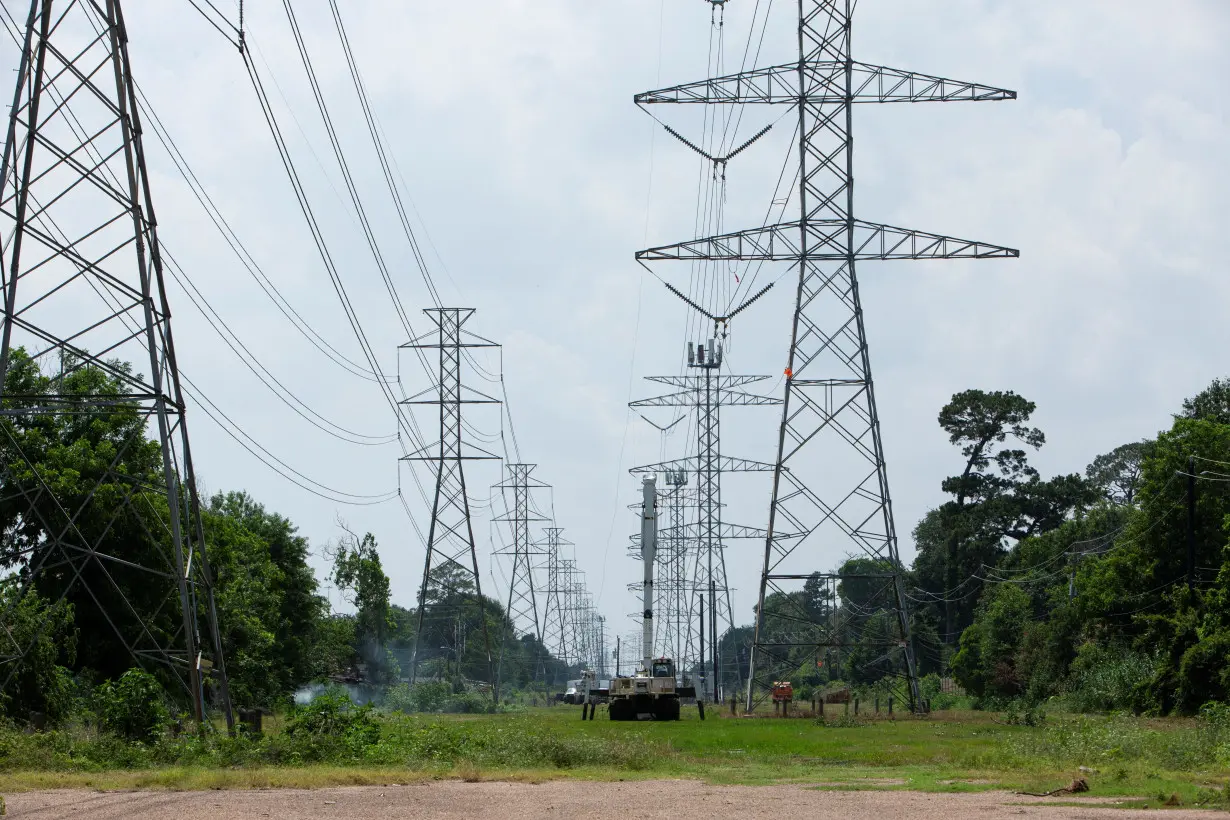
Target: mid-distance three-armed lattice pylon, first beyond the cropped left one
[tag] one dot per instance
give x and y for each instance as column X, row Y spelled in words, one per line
column 451, row 571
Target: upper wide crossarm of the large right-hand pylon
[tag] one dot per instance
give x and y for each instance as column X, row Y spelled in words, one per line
column 825, row 82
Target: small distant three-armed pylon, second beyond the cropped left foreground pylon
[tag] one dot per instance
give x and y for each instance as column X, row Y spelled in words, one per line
column 522, row 607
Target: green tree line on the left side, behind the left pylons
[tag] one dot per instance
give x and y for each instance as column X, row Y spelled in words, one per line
column 277, row 629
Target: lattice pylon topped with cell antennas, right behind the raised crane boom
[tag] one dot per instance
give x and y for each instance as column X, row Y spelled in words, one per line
column 708, row 393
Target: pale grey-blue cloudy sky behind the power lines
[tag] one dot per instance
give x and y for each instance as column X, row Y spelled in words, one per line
column 534, row 180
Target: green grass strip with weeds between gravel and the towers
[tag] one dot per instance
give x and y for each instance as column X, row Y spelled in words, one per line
column 1162, row 763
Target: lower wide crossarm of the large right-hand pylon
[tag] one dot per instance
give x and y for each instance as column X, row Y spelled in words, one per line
column 828, row 239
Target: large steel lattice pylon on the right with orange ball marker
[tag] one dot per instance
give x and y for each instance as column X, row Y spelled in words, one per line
column 831, row 487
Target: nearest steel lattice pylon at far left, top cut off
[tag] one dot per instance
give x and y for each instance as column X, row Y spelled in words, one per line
column 84, row 298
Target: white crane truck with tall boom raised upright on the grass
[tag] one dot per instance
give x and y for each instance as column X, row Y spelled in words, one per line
column 653, row 693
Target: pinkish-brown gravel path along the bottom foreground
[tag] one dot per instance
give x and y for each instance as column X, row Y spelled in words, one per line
column 565, row 800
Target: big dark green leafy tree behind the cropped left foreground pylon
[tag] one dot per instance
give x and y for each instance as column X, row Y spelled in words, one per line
column 101, row 467
